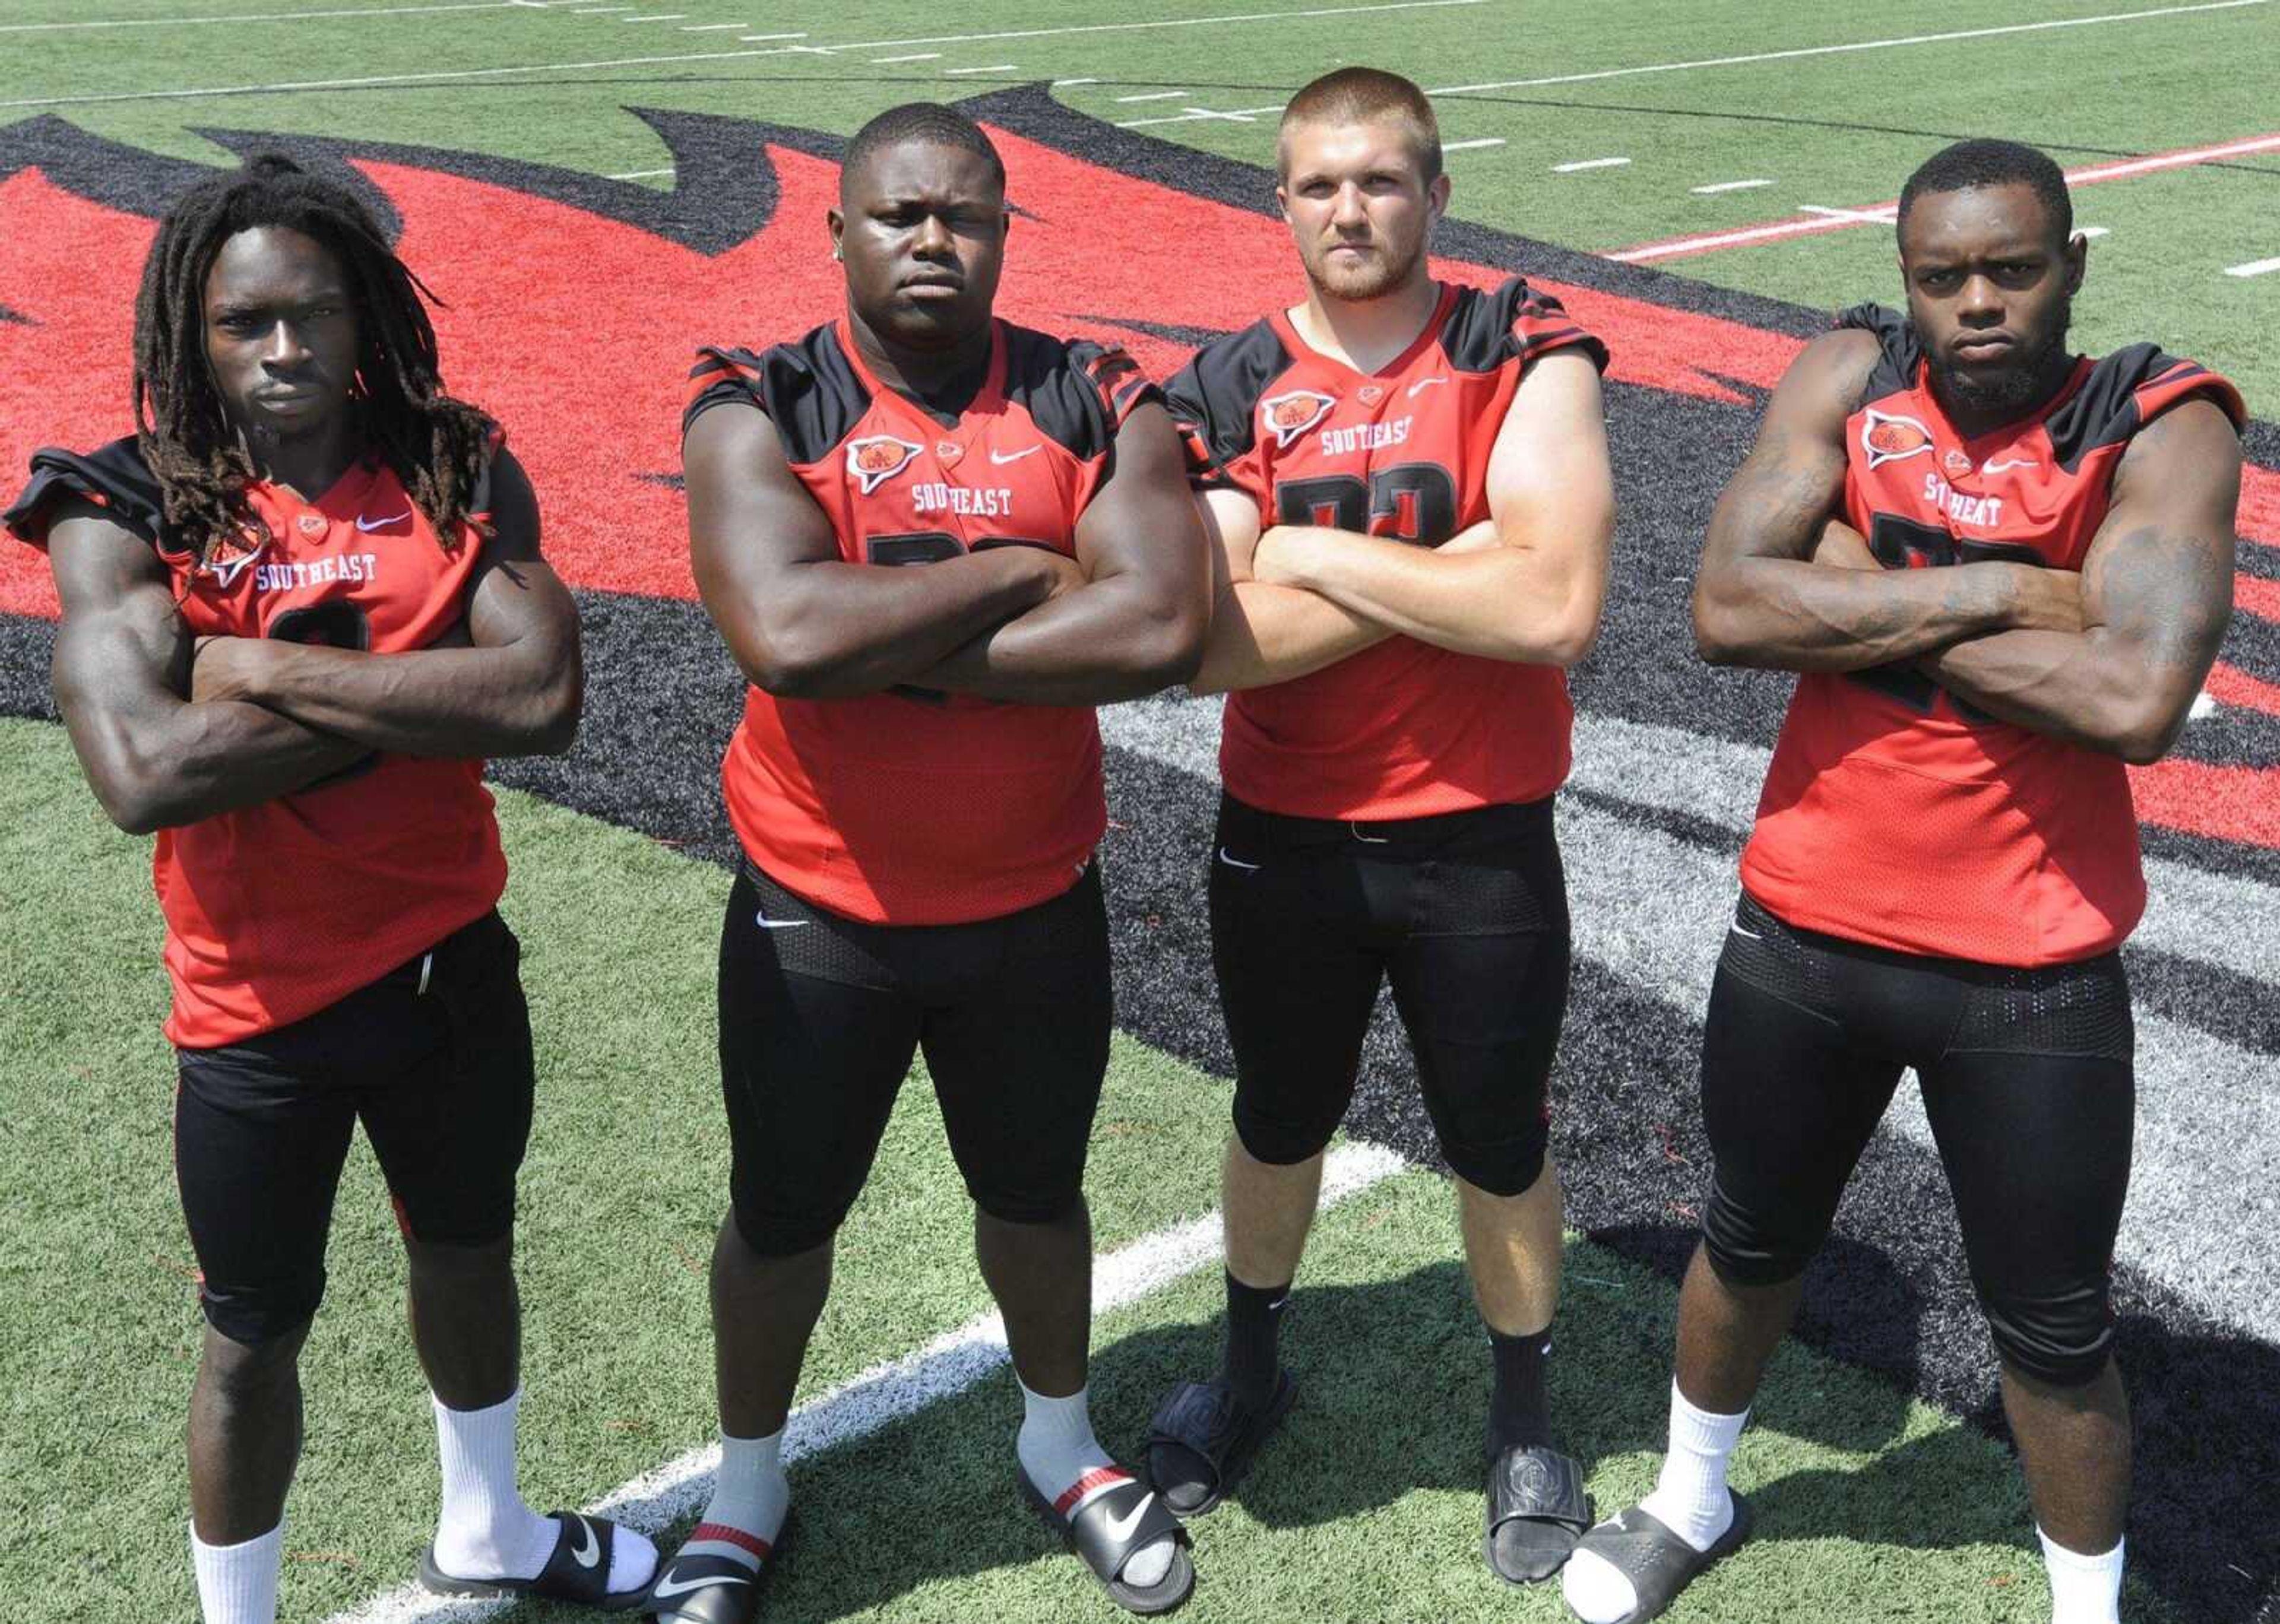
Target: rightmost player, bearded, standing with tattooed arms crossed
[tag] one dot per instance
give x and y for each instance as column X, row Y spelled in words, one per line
column 2003, row 574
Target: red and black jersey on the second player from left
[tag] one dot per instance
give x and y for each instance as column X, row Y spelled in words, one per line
column 927, row 809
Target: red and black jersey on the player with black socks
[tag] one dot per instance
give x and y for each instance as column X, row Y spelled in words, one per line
column 1401, row 729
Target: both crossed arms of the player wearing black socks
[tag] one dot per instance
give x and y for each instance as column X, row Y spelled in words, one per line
column 1524, row 585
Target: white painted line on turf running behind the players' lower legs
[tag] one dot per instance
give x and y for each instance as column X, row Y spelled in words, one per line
column 899, row 1388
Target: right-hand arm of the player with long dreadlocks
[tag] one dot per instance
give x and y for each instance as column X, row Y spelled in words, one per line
column 510, row 688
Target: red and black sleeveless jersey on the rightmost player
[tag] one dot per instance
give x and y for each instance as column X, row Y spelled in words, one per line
column 1909, row 820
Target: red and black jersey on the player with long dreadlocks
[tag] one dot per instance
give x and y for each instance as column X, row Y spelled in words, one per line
column 282, row 909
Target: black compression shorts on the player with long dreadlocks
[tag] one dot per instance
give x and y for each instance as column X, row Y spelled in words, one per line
column 434, row 1059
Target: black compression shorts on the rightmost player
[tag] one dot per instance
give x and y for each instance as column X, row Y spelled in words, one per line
column 2028, row 1087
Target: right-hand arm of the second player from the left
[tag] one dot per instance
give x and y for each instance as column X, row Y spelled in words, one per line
column 1137, row 622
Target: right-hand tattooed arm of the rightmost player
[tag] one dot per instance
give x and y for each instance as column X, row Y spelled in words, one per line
column 2156, row 601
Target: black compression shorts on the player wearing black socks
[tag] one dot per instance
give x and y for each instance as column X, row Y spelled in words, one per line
column 1467, row 913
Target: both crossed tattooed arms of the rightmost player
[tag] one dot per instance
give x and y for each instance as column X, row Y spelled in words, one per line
column 2110, row 660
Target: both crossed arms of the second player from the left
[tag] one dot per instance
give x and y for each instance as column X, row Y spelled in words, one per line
column 1011, row 622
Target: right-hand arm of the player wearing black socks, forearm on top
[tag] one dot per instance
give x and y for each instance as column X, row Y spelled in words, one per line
column 1536, row 599
